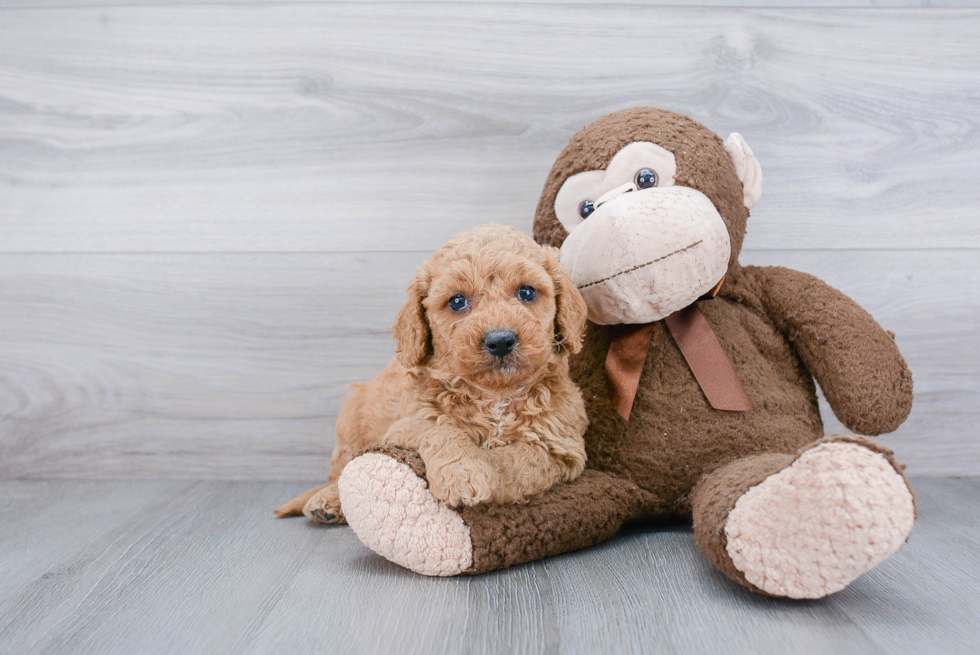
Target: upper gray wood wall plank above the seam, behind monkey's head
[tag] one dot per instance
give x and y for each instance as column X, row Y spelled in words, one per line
column 348, row 126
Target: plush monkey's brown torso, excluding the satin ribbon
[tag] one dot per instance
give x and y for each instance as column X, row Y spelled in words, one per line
column 674, row 436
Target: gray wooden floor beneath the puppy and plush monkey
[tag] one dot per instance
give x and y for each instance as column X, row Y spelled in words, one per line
column 203, row 567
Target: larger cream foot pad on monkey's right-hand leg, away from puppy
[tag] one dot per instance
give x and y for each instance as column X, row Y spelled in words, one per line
column 811, row 529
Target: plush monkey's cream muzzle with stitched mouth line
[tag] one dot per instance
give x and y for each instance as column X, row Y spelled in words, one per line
column 642, row 255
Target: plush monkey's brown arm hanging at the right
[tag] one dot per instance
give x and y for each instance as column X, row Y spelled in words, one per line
column 855, row 361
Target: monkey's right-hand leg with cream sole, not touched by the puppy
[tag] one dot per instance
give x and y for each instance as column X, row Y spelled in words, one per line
column 804, row 525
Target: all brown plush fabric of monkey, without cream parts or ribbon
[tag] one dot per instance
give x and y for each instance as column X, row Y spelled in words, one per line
column 779, row 328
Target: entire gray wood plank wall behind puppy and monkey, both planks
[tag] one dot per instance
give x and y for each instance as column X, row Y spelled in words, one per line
column 209, row 213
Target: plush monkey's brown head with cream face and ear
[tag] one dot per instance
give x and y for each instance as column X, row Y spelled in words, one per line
column 649, row 208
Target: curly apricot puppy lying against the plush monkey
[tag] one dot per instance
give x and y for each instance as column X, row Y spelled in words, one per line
column 480, row 384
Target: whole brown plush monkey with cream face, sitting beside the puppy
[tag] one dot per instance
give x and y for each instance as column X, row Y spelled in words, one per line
column 699, row 407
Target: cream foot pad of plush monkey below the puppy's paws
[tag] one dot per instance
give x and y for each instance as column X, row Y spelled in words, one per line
column 392, row 512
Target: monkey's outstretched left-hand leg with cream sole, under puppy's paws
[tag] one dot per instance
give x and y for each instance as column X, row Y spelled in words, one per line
column 389, row 506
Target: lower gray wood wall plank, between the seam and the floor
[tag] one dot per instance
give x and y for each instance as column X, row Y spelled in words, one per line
column 233, row 365
